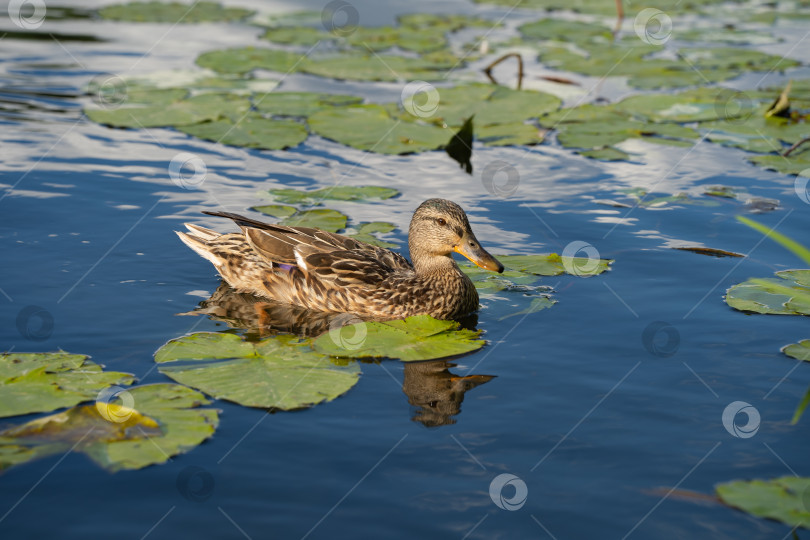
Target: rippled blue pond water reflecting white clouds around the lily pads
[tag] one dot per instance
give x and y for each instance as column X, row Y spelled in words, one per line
column 599, row 426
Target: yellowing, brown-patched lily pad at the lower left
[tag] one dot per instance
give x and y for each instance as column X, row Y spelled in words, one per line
column 165, row 420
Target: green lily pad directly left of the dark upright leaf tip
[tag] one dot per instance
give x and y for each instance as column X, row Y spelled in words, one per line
column 371, row 128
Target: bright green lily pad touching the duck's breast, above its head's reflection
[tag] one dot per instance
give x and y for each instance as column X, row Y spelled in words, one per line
column 416, row 338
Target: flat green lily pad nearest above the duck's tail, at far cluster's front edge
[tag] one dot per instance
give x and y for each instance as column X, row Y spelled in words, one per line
column 251, row 131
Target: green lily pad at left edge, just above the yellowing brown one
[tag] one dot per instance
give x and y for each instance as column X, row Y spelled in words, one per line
column 41, row 382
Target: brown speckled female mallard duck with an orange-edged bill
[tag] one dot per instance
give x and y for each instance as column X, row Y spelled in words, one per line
column 324, row 271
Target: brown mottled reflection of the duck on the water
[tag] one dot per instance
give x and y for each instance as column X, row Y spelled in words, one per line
column 434, row 390
